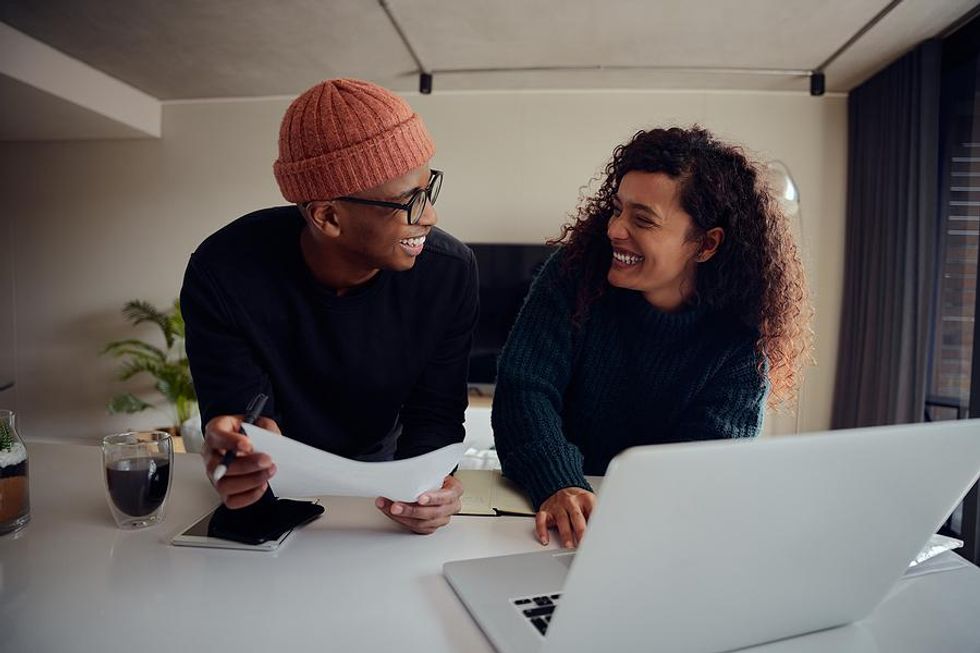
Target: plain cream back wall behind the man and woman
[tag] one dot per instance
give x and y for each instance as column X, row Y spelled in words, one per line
column 97, row 223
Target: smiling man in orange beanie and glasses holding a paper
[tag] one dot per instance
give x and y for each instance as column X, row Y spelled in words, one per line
column 349, row 309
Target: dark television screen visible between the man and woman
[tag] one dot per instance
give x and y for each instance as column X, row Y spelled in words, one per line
column 506, row 272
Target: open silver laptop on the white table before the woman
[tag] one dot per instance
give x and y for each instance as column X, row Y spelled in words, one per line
column 714, row 546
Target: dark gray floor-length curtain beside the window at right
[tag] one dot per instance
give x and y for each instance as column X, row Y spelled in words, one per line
column 891, row 247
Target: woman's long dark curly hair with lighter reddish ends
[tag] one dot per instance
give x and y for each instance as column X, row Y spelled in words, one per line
column 756, row 276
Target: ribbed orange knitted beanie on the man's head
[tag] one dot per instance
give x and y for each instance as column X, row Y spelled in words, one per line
column 346, row 135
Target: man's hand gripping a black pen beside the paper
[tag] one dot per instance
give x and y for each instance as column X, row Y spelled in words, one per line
column 248, row 475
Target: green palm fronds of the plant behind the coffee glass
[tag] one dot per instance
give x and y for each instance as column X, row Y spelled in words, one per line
column 168, row 366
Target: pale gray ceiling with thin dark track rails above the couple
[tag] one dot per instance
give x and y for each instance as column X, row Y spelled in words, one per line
column 195, row 49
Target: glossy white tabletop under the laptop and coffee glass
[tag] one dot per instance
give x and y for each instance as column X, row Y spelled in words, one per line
column 351, row 581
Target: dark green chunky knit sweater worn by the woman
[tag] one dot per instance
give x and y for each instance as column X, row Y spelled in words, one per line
column 567, row 401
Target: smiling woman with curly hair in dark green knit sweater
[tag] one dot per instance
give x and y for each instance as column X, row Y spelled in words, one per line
column 675, row 305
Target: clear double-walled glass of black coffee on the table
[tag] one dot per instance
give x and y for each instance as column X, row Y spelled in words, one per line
column 137, row 468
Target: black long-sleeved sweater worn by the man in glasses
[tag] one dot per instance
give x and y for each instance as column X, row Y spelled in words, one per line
column 379, row 372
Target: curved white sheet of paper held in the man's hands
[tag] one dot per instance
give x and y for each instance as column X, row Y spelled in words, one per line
column 305, row 471
